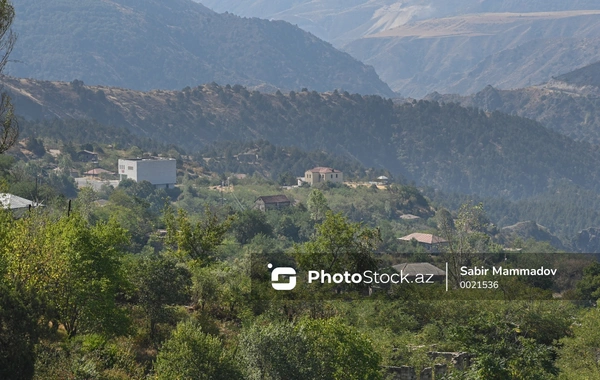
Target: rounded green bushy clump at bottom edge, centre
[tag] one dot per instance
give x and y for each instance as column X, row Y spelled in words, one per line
column 314, row 349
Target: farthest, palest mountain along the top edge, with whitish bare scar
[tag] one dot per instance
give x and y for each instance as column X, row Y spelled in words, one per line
column 341, row 22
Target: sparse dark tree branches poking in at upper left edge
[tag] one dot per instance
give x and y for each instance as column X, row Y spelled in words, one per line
column 9, row 131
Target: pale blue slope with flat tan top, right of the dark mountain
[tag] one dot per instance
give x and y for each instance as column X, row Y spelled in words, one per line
column 464, row 53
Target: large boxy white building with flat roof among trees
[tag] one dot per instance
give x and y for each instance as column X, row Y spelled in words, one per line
column 161, row 172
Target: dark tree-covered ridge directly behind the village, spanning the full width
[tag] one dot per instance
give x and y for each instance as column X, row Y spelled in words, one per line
column 451, row 148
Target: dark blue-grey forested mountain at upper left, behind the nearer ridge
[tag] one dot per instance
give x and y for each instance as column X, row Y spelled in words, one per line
column 147, row 44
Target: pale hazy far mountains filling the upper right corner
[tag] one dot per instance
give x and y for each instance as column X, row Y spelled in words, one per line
column 455, row 46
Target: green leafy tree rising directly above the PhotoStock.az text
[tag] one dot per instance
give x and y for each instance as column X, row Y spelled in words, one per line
column 339, row 245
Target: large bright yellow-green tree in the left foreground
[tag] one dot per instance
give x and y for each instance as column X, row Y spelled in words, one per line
column 74, row 269
